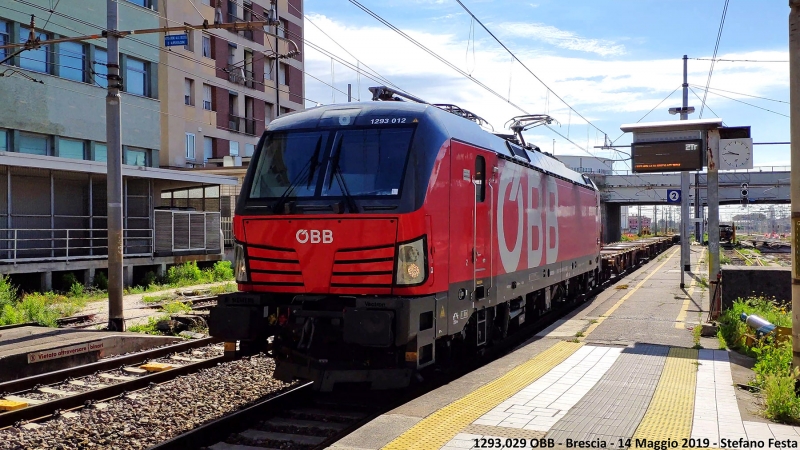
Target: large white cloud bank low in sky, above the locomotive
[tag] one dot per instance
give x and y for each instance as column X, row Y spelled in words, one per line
column 608, row 92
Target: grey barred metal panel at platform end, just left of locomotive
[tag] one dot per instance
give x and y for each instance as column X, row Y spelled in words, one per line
column 187, row 231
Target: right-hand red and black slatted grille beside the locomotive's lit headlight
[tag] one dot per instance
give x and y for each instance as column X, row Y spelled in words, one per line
column 363, row 268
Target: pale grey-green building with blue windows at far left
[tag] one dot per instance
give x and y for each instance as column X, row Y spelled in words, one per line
column 53, row 149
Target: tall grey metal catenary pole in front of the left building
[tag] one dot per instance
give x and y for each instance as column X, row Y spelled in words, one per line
column 116, row 319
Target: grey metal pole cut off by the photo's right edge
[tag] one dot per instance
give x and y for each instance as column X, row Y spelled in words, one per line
column 794, row 90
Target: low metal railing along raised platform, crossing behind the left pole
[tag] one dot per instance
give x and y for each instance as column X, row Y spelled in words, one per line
column 45, row 244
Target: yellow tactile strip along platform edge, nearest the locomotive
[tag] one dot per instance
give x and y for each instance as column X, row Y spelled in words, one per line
column 440, row 427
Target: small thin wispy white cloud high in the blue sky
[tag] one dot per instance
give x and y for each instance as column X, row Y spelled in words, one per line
column 561, row 38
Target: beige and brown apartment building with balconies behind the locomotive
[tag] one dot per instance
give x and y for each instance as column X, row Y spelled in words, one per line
column 221, row 89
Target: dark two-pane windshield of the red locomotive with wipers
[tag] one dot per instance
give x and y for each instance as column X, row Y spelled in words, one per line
column 319, row 164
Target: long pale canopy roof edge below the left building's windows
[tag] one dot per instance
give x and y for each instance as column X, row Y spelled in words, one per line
column 14, row 159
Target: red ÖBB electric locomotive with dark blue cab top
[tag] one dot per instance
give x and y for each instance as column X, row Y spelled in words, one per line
column 374, row 239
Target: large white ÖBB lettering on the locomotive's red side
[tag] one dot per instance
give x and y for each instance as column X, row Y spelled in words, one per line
column 542, row 238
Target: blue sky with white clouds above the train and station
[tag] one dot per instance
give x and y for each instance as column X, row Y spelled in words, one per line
column 611, row 61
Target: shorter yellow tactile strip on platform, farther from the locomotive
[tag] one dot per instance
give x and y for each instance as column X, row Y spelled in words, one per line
column 669, row 415
